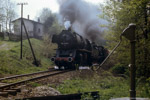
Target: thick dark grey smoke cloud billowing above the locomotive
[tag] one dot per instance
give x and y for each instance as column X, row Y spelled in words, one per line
column 83, row 17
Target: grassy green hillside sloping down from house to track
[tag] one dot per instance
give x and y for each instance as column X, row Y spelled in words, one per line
column 10, row 62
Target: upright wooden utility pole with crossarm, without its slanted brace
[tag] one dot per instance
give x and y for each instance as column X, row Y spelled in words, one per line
column 21, row 27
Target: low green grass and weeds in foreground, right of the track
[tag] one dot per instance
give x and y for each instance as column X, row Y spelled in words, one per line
column 108, row 86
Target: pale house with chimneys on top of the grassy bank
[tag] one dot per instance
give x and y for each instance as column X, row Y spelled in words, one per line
column 35, row 29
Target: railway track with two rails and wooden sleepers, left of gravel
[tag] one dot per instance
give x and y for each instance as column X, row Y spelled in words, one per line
column 13, row 88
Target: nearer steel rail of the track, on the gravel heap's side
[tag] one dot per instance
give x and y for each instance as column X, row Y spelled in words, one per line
column 8, row 86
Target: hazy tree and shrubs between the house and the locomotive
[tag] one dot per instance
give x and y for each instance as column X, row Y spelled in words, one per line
column 51, row 26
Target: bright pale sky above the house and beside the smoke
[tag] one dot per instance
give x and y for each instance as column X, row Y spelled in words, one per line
column 34, row 7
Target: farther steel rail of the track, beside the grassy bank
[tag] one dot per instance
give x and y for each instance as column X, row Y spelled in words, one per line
column 23, row 75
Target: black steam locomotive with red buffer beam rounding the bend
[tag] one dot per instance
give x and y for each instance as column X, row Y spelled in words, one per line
column 73, row 50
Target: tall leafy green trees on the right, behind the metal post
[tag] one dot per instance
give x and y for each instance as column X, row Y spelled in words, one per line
column 119, row 15
